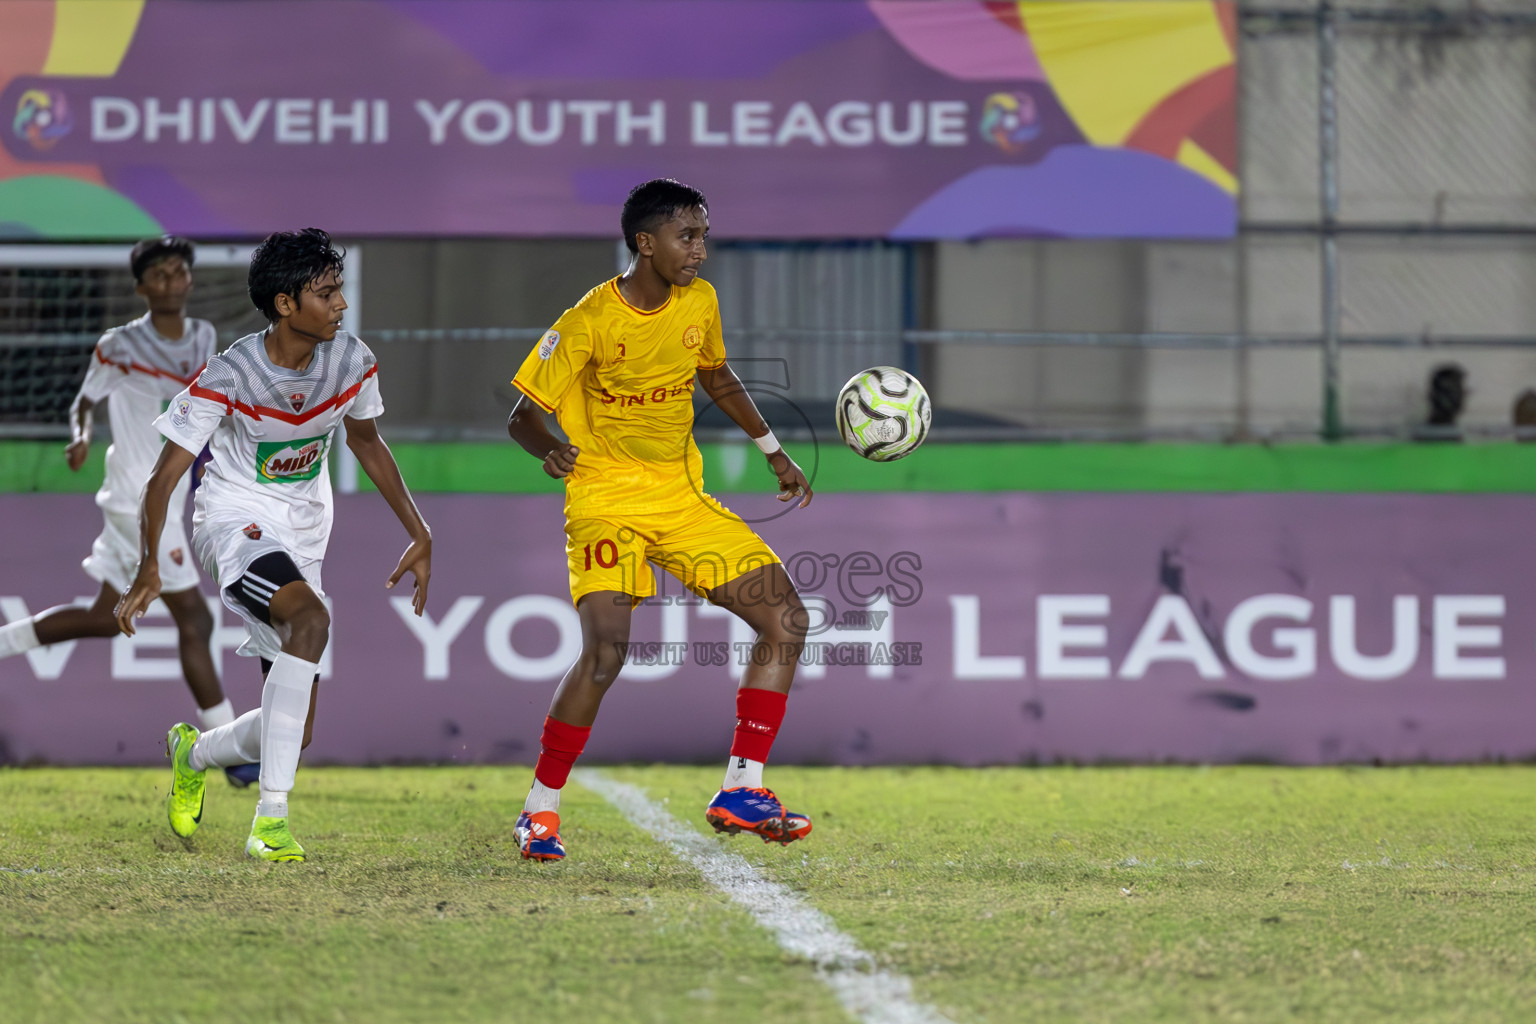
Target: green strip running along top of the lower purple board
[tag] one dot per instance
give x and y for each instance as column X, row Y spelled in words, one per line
column 503, row 469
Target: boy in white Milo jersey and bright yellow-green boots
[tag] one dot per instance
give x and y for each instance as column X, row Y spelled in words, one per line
column 270, row 409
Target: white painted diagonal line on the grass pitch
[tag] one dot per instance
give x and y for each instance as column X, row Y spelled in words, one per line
column 870, row 994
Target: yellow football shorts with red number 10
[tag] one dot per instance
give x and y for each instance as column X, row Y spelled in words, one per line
column 704, row 546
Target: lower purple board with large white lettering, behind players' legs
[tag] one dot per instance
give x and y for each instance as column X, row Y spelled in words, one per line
column 952, row 629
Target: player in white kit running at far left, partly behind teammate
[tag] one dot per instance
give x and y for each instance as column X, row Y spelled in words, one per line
column 142, row 366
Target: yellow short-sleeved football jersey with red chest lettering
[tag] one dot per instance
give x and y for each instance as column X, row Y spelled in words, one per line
column 621, row 382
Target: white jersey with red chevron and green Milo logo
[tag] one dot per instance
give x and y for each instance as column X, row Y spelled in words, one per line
column 271, row 432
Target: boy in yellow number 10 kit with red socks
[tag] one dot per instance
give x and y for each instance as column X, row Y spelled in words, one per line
column 618, row 371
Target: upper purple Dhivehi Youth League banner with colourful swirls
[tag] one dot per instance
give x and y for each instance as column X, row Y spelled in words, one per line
column 801, row 119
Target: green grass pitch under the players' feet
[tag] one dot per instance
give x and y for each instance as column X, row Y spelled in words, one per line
column 1179, row 894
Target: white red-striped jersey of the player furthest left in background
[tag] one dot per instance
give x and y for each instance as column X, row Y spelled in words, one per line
column 141, row 372
